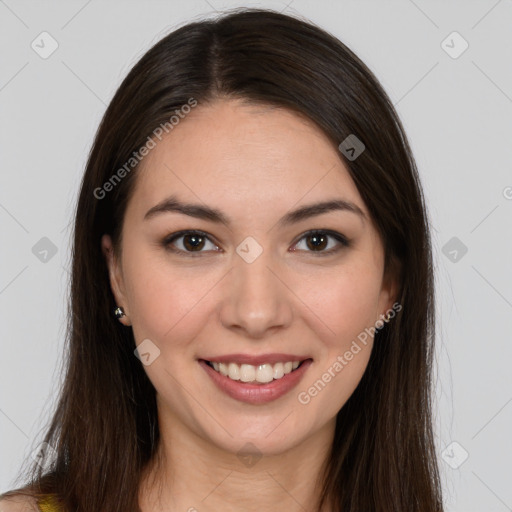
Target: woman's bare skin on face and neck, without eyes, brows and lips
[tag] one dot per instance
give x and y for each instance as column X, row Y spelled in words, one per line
column 254, row 164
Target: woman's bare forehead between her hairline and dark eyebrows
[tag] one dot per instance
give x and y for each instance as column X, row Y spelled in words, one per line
column 245, row 157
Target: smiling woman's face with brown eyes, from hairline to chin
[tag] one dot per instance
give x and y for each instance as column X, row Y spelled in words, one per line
column 254, row 284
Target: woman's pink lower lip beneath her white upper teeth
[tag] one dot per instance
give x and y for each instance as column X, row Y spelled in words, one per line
column 257, row 393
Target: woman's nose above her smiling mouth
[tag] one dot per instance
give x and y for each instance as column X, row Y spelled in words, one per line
column 256, row 299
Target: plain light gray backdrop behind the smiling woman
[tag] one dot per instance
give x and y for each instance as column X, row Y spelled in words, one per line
column 457, row 113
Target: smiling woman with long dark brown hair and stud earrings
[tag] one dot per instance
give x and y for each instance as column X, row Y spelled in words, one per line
column 252, row 319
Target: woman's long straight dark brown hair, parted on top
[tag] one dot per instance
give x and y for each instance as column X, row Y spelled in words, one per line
column 104, row 430
